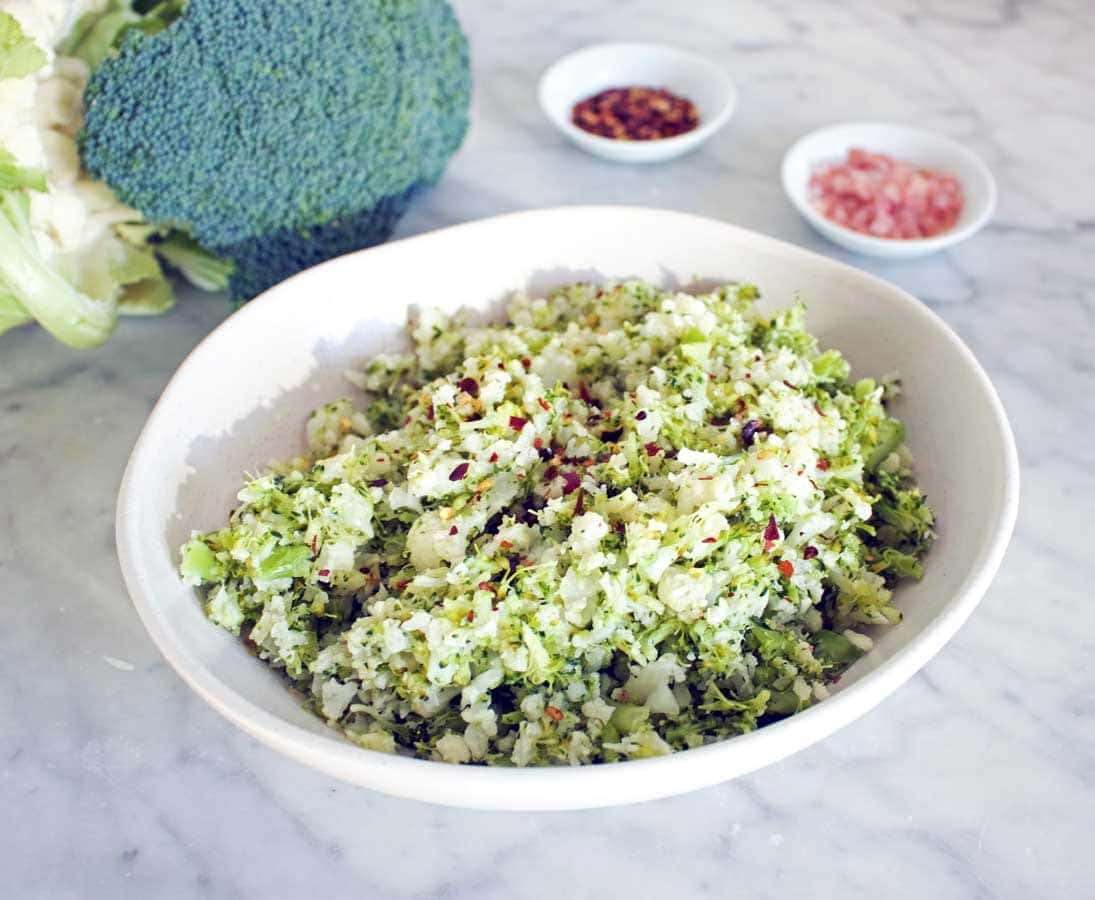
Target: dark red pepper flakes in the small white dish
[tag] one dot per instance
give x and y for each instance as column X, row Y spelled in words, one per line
column 636, row 114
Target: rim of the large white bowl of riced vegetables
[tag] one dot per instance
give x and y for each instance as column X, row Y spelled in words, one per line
column 608, row 784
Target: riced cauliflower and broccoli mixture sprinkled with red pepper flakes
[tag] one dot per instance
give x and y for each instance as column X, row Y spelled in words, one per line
column 624, row 523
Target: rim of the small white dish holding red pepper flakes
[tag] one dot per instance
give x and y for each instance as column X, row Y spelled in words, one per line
column 698, row 135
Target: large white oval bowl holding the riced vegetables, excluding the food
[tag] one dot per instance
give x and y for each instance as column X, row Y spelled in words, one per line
column 243, row 397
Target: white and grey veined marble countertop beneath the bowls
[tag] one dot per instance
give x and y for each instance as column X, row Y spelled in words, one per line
column 976, row 780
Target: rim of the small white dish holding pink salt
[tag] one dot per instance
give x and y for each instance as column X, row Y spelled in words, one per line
column 889, row 247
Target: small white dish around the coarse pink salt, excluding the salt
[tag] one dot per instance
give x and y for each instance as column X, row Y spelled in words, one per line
column 912, row 145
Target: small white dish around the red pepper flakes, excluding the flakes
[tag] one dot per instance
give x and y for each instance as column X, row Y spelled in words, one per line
column 589, row 72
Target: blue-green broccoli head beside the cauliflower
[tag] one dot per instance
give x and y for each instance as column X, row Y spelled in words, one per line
column 280, row 134
